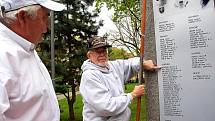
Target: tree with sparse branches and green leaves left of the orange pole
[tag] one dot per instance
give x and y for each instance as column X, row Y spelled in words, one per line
column 127, row 20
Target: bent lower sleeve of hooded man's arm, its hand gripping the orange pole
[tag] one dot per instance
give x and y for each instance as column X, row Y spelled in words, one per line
column 100, row 98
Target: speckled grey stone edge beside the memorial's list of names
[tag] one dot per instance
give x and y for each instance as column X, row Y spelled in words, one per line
column 152, row 92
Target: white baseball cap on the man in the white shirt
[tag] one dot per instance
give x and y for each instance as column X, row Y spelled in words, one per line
column 10, row 5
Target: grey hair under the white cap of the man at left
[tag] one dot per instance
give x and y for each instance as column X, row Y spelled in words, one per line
column 10, row 16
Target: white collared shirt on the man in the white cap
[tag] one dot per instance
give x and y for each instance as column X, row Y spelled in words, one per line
column 26, row 91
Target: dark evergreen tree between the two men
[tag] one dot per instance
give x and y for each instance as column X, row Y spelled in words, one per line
column 72, row 28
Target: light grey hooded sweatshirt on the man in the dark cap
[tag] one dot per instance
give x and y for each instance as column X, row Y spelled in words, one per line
column 102, row 90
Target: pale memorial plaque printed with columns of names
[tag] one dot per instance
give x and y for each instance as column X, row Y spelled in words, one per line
column 185, row 45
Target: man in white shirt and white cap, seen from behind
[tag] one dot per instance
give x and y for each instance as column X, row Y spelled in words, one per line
column 26, row 91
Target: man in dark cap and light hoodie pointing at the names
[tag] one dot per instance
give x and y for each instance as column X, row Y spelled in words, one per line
column 102, row 84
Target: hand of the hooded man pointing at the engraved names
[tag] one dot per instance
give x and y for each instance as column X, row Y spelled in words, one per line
column 149, row 65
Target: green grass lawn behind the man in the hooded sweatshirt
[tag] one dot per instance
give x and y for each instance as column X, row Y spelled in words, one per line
column 78, row 107
